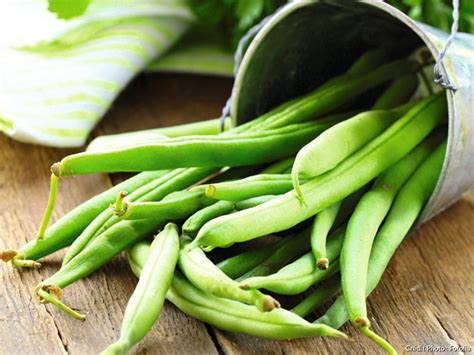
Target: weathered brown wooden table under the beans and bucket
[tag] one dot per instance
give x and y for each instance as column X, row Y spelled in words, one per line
column 425, row 297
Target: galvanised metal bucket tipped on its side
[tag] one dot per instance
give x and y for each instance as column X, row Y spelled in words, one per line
column 307, row 42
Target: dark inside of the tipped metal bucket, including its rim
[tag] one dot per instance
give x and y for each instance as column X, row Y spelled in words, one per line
column 309, row 42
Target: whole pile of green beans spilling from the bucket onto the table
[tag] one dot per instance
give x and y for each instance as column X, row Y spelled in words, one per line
column 312, row 197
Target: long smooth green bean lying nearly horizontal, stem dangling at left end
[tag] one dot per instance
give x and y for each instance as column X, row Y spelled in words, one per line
column 195, row 151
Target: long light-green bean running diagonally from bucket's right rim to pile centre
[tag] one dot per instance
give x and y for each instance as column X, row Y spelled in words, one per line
column 286, row 211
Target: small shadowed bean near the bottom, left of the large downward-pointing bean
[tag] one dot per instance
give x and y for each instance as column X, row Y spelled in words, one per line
column 318, row 297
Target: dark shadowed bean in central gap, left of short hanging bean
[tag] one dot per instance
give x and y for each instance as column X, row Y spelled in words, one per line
column 290, row 248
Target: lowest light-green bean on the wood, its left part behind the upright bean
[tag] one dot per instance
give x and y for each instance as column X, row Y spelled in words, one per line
column 231, row 315
